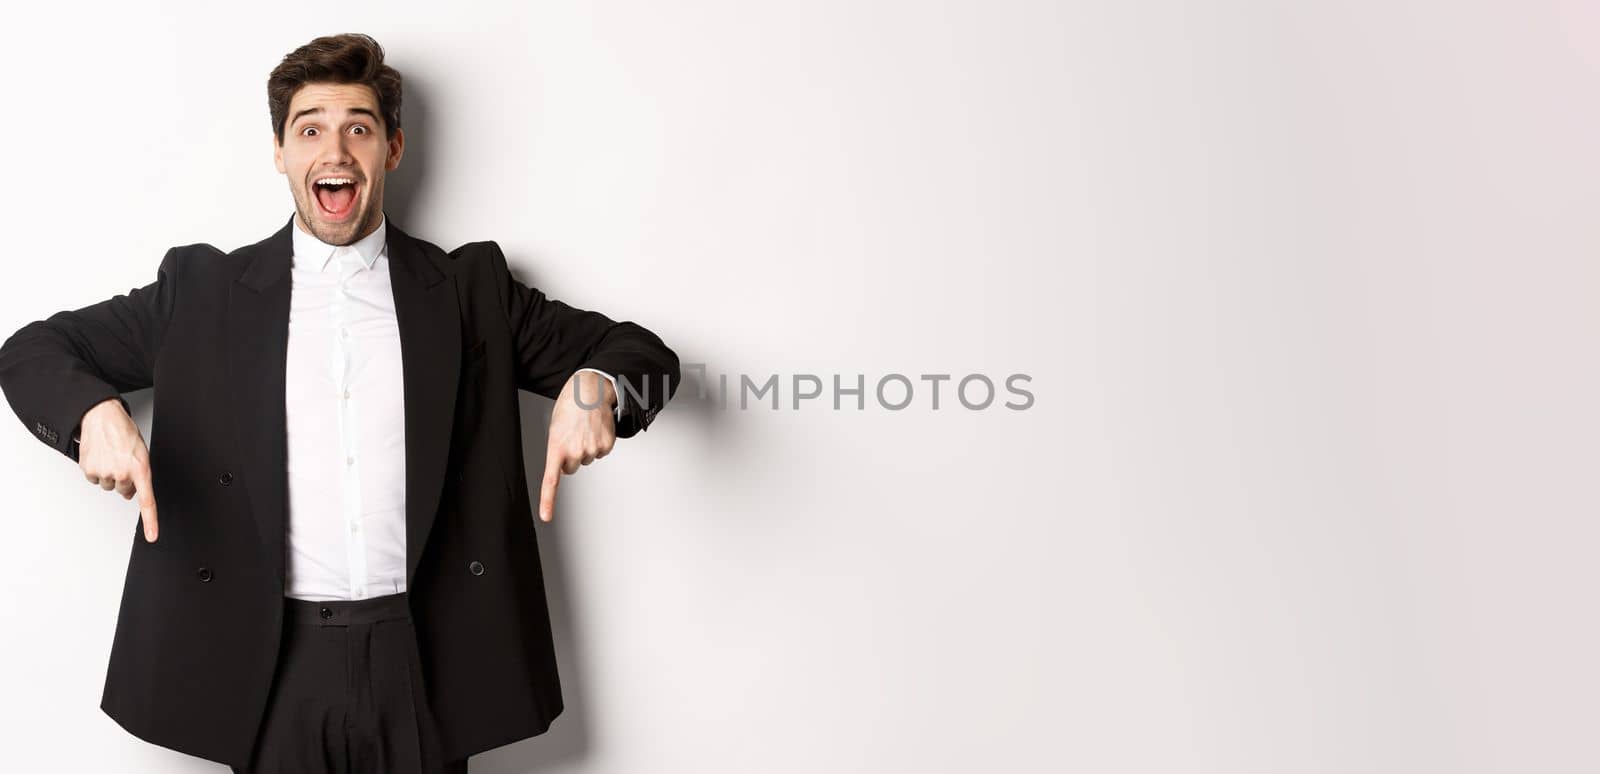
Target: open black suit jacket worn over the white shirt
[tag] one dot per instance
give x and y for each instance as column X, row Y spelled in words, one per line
column 201, row 621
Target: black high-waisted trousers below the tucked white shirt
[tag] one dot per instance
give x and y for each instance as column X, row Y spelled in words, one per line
column 350, row 696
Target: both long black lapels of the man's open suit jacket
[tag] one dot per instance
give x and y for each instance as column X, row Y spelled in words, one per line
column 257, row 322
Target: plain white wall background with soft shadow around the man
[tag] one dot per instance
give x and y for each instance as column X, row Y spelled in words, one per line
column 1308, row 300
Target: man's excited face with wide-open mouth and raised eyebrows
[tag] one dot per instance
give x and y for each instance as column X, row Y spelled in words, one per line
column 335, row 156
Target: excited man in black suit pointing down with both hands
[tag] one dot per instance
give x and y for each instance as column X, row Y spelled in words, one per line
column 343, row 575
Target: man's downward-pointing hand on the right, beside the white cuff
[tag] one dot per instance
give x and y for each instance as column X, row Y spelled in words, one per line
column 578, row 436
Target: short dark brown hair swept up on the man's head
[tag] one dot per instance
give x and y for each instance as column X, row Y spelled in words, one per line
column 350, row 58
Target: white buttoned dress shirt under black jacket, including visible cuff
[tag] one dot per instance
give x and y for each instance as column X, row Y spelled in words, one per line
column 346, row 423
